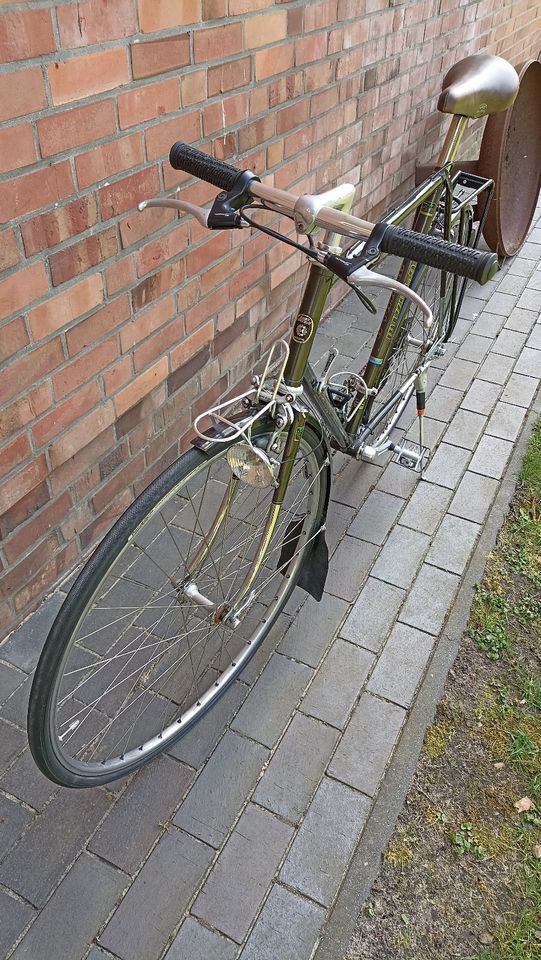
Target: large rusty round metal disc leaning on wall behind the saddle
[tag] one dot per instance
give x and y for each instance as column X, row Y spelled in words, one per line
column 511, row 156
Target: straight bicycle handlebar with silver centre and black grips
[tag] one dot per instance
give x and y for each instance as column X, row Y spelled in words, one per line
column 307, row 212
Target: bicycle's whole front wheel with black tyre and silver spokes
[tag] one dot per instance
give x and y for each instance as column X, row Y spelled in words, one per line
column 134, row 658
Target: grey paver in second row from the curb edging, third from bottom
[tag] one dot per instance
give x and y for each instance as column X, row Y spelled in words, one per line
column 296, row 768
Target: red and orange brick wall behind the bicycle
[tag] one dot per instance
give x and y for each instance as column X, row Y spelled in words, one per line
column 117, row 327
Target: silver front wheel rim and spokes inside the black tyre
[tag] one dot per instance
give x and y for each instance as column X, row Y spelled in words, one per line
column 126, row 672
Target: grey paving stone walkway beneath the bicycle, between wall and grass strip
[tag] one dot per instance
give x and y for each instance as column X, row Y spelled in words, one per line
column 235, row 845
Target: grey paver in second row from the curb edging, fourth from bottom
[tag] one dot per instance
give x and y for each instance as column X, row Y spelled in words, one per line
column 338, row 683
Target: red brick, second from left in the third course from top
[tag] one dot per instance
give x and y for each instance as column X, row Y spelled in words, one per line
column 76, row 126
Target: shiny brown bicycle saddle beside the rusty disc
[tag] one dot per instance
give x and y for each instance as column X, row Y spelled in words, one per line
column 478, row 85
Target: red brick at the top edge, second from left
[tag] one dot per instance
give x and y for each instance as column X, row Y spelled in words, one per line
column 95, row 21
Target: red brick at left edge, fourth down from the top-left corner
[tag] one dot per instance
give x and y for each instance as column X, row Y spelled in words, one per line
column 32, row 191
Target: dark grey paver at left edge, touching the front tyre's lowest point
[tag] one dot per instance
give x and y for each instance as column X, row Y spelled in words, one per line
column 35, row 864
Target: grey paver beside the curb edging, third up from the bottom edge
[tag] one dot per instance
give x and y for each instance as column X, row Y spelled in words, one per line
column 366, row 747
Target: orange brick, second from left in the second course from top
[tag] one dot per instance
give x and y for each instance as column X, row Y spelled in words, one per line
column 83, row 76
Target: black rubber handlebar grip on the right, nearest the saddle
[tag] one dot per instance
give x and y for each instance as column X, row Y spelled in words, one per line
column 452, row 257
